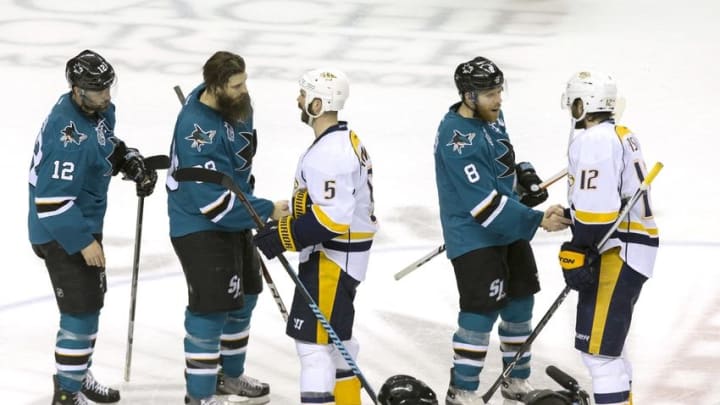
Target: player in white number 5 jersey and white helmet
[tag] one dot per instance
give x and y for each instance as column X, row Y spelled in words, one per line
column 332, row 226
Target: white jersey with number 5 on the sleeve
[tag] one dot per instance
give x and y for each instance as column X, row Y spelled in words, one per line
column 336, row 171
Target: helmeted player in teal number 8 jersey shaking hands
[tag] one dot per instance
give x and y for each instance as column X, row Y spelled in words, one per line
column 487, row 222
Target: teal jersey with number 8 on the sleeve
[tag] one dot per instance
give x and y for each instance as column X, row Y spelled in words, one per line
column 475, row 177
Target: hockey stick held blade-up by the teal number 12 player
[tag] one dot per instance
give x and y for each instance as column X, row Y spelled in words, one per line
column 156, row 162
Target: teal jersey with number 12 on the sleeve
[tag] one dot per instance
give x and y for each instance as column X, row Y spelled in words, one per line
column 69, row 175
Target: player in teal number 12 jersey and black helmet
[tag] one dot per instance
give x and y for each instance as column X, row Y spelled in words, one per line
column 75, row 155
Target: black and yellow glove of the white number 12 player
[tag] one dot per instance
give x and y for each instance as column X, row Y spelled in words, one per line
column 580, row 266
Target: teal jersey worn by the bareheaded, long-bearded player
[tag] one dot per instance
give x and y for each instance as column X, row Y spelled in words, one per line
column 202, row 138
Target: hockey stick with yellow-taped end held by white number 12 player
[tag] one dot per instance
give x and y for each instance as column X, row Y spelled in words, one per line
column 556, row 304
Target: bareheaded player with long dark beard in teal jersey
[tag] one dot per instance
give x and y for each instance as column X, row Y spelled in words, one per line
column 210, row 231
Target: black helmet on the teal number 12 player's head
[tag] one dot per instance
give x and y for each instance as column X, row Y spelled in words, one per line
column 88, row 70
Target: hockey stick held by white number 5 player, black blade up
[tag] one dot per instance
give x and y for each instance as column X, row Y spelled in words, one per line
column 213, row 176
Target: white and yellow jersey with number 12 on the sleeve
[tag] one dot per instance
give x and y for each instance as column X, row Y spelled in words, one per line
column 605, row 169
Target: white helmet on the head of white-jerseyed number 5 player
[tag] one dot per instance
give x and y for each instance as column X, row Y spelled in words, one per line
column 329, row 85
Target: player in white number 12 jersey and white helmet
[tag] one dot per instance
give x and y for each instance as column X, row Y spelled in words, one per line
column 605, row 168
